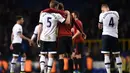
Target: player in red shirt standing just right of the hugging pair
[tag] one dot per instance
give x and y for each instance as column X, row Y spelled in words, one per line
column 78, row 41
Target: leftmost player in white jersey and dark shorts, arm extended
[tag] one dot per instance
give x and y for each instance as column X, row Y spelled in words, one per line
column 16, row 45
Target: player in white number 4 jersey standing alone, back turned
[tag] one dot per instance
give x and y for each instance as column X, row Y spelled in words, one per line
column 108, row 20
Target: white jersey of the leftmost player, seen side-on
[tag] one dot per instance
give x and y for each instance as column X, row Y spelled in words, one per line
column 17, row 29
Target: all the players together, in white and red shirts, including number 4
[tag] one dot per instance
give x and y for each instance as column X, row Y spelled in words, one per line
column 55, row 22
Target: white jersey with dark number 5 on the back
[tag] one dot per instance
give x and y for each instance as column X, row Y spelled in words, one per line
column 49, row 21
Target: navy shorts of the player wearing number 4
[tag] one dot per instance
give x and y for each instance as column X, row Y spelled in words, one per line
column 110, row 45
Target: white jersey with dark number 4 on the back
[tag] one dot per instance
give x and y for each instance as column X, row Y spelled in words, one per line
column 110, row 20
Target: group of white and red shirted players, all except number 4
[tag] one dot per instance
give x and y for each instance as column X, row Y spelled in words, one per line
column 54, row 22
